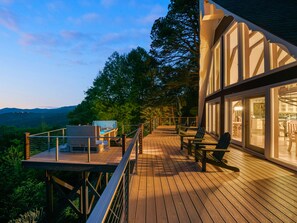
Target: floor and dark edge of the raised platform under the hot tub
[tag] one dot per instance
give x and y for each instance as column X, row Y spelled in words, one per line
column 106, row 160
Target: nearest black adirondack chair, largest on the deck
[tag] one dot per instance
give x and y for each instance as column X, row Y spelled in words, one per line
column 203, row 153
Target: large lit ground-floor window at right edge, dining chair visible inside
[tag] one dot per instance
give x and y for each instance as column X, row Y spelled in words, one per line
column 284, row 100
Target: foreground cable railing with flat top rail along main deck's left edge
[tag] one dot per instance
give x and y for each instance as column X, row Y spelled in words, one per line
column 113, row 203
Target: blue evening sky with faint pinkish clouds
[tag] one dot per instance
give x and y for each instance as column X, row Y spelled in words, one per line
column 51, row 51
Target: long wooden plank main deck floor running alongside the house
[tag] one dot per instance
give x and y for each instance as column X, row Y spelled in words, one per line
column 170, row 187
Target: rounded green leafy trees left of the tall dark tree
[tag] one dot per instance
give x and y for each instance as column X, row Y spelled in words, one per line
column 120, row 90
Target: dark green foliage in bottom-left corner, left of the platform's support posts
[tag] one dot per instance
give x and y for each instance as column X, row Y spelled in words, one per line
column 21, row 190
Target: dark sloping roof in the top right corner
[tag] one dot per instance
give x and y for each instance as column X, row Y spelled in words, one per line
column 278, row 17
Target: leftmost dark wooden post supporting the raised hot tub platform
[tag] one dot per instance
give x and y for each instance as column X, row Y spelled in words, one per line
column 49, row 196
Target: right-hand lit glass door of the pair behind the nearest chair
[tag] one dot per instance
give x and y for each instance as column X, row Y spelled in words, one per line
column 255, row 124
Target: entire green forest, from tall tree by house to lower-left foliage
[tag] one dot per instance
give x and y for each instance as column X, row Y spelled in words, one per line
column 131, row 88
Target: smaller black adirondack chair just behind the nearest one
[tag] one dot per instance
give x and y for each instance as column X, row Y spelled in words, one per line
column 198, row 137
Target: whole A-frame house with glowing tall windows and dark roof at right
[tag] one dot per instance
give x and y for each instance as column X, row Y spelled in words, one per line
column 248, row 75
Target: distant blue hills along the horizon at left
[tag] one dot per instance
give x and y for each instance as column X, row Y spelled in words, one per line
column 34, row 117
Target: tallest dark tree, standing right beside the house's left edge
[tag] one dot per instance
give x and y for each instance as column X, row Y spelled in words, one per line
column 175, row 45
